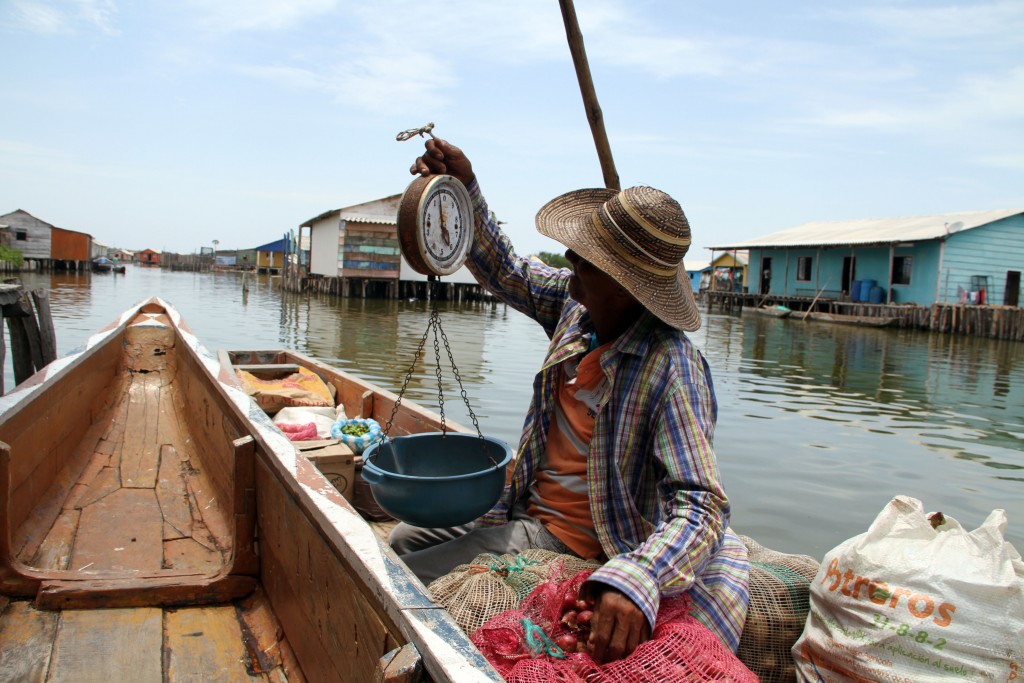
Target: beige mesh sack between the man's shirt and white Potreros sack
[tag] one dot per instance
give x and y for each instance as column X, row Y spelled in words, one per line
column 780, row 587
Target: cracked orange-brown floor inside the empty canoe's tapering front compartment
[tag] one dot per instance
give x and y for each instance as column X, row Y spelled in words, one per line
column 141, row 502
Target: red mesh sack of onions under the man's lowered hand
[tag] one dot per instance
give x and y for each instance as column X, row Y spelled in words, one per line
column 528, row 646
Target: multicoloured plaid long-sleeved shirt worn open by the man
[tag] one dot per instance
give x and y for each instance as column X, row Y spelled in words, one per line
column 660, row 510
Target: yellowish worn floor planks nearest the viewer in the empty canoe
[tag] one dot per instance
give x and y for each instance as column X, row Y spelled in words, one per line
column 238, row 642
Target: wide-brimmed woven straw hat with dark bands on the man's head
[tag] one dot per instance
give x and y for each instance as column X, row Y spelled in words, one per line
column 638, row 236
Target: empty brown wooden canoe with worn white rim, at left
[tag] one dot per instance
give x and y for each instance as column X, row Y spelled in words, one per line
column 155, row 526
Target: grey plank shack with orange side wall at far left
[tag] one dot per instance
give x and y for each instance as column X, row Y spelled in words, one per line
column 46, row 246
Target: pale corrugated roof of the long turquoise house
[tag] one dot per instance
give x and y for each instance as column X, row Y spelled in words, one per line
column 875, row 231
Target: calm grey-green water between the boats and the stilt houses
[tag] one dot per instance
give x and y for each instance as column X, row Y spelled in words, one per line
column 820, row 425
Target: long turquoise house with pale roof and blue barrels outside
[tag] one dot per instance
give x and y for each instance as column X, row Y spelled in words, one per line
column 970, row 258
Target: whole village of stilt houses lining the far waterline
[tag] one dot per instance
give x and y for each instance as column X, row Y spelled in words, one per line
column 970, row 259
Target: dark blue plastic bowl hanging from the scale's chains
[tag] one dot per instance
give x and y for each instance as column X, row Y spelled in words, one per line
column 437, row 480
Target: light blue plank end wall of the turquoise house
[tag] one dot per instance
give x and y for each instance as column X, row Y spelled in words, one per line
column 990, row 250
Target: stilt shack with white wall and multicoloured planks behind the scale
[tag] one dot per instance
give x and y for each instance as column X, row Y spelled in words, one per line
column 358, row 245
